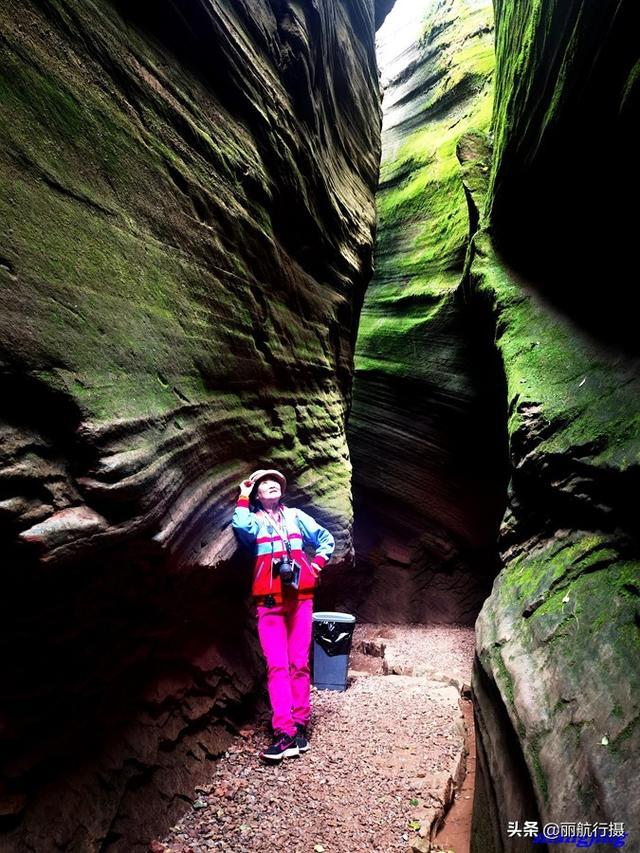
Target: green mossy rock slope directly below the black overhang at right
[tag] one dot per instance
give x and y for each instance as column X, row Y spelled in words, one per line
column 588, row 398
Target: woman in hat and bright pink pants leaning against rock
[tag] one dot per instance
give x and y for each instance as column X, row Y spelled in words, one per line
column 283, row 583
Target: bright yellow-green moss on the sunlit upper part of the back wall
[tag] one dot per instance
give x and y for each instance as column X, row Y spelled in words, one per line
column 423, row 224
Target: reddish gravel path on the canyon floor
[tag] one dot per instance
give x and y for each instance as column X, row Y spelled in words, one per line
column 386, row 759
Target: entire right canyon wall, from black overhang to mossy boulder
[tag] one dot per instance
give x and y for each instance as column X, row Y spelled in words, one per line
column 557, row 685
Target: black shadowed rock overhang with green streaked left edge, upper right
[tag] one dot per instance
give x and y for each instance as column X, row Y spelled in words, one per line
column 557, row 211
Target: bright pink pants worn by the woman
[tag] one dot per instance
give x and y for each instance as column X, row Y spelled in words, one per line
column 285, row 637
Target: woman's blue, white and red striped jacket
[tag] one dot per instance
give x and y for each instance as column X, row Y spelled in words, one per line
column 256, row 529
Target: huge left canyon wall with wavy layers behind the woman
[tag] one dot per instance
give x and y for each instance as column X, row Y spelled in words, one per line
column 187, row 211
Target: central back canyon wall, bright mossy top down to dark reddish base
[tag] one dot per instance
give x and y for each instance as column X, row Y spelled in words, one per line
column 427, row 426
